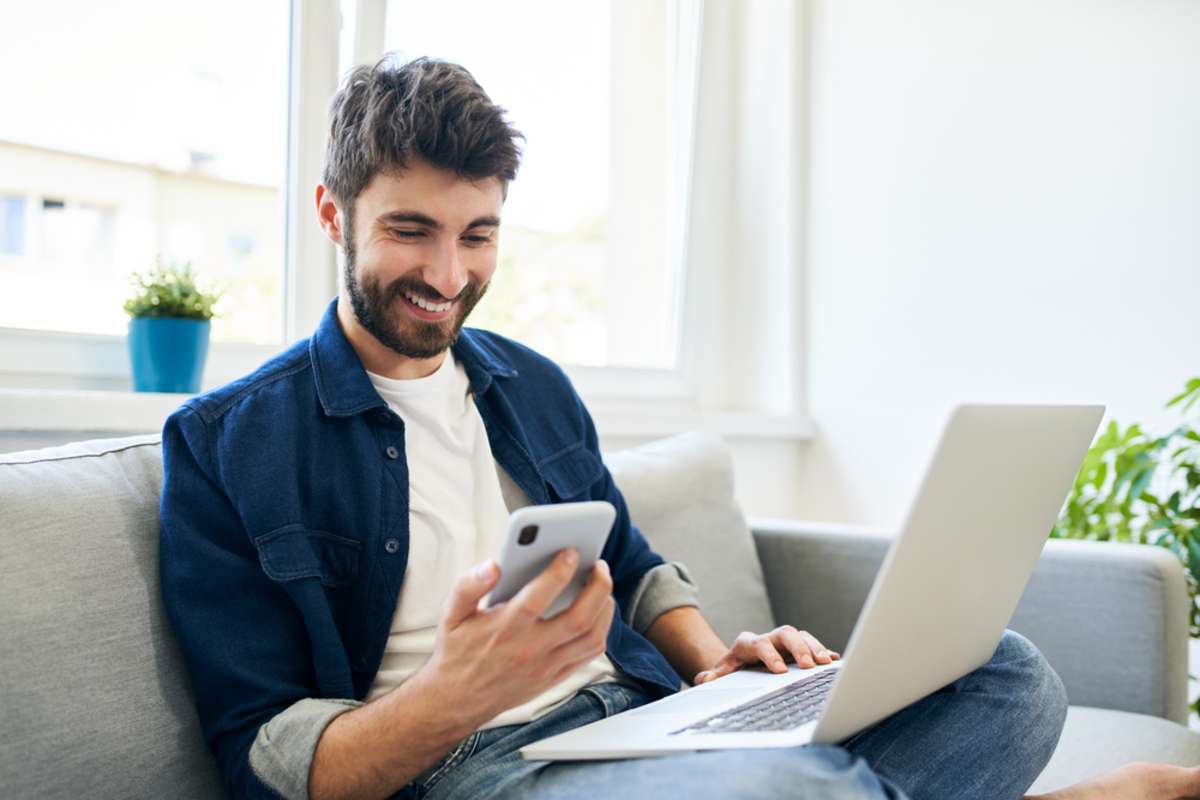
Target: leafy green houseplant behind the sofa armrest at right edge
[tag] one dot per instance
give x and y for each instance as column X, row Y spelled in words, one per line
column 1137, row 488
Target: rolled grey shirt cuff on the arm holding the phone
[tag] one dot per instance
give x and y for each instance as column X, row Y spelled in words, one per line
column 284, row 749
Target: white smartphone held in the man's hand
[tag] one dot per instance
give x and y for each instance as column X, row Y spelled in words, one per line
column 537, row 534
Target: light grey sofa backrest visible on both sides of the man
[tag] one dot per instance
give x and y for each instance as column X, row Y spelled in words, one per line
column 95, row 694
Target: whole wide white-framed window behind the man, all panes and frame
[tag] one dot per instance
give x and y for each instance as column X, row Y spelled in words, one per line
column 193, row 137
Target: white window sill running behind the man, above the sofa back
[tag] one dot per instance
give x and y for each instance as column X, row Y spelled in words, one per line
column 83, row 412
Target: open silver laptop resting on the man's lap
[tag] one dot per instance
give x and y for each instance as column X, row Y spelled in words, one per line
column 937, row 611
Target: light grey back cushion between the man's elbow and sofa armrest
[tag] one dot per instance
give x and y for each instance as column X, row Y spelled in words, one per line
column 681, row 495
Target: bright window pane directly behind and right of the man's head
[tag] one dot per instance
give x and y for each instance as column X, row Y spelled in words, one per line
column 591, row 249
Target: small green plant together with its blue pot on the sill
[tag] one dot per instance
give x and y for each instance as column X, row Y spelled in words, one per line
column 169, row 330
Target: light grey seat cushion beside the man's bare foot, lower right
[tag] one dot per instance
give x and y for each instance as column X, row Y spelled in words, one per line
column 1099, row 741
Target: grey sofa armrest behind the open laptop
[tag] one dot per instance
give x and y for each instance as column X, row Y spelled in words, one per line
column 1111, row 618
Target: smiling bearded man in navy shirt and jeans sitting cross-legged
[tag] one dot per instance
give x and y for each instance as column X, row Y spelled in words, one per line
column 328, row 524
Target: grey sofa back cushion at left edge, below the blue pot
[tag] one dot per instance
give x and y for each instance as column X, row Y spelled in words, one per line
column 95, row 693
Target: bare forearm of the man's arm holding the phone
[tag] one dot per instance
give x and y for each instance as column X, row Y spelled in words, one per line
column 380, row 748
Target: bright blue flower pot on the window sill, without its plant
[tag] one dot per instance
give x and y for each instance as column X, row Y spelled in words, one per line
column 169, row 353
